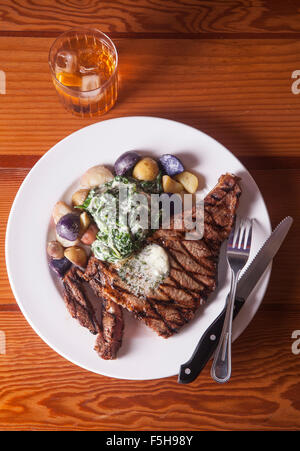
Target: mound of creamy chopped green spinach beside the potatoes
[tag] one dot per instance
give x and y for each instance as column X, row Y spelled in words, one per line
column 121, row 231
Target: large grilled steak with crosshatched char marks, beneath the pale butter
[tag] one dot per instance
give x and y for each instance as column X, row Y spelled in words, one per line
column 193, row 266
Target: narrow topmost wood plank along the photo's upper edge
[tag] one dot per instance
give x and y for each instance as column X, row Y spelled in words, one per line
column 172, row 16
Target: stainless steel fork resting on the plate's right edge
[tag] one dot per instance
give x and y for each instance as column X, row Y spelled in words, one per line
column 238, row 250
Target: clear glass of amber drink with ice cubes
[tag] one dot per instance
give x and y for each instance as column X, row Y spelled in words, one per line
column 84, row 69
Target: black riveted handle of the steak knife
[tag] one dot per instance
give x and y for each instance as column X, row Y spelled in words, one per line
column 206, row 347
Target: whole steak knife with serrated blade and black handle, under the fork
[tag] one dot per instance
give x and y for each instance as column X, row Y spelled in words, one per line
column 207, row 344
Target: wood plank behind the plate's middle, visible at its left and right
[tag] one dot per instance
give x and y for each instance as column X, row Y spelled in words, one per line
column 284, row 286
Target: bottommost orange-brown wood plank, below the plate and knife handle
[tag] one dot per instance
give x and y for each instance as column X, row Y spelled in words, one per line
column 40, row 390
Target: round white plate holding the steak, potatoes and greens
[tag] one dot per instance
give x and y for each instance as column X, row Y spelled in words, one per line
column 143, row 355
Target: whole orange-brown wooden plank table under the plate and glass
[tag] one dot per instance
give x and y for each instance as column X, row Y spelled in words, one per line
column 224, row 67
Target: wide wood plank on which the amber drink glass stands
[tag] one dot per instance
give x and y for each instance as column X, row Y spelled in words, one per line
column 237, row 91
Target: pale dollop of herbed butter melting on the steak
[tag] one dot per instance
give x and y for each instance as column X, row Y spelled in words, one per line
column 145, row 270
